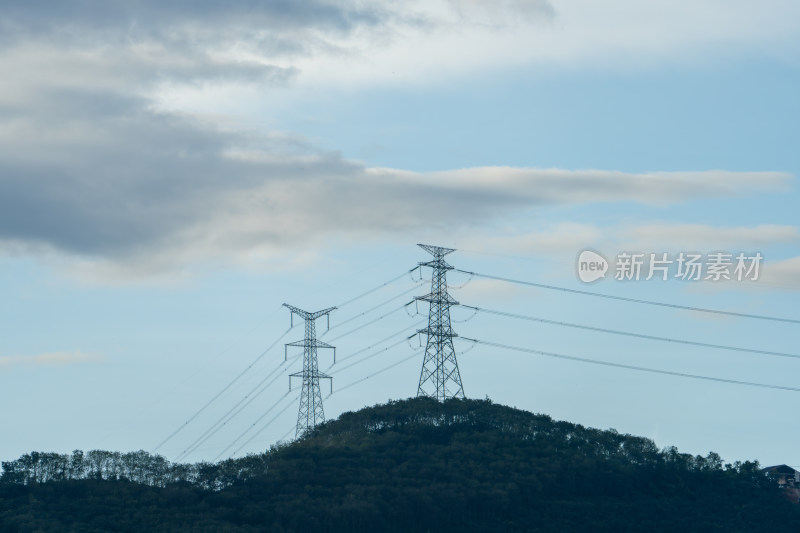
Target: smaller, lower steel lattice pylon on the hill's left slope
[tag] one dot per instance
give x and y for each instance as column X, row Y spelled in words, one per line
column 310, row 413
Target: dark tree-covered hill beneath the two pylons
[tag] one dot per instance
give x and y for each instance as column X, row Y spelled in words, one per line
column 412, row 465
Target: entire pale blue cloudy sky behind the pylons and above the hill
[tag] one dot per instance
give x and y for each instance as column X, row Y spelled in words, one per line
column 172, row 173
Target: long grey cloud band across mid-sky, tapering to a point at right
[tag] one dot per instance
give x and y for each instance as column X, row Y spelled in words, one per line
column 180, row 196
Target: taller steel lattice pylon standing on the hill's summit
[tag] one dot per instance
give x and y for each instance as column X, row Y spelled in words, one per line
column 440, row 377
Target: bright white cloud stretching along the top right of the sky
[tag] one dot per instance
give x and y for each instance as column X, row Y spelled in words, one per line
column 481, row 36
